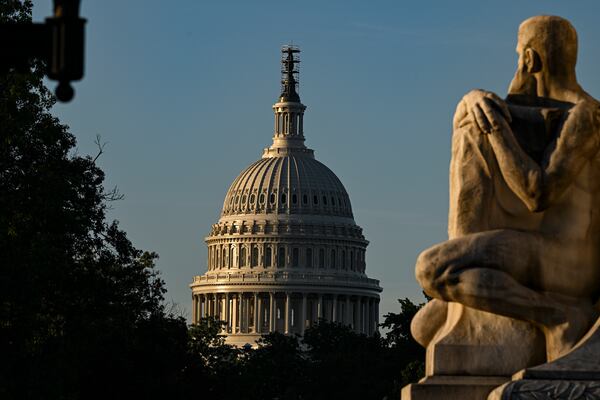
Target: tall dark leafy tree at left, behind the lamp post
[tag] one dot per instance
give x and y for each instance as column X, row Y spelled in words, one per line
column 81, row 309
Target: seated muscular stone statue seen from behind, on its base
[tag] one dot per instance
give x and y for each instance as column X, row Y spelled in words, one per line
column 517, row 283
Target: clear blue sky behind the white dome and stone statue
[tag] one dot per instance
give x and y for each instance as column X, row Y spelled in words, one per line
column 182, row 93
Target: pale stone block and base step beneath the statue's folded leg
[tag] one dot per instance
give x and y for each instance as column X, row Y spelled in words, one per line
column 474, row 352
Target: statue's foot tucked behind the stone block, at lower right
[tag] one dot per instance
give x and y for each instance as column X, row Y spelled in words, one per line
column 561, row 338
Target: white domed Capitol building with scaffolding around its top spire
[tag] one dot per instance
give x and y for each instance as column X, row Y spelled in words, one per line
column 286, row 251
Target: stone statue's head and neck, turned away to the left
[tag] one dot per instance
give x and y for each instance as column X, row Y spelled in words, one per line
column 547, row 47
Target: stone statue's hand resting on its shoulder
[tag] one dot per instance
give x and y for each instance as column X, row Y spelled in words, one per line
column 483, row 108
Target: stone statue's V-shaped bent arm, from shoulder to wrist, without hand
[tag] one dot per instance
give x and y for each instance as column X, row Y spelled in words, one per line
column 540, row 186
